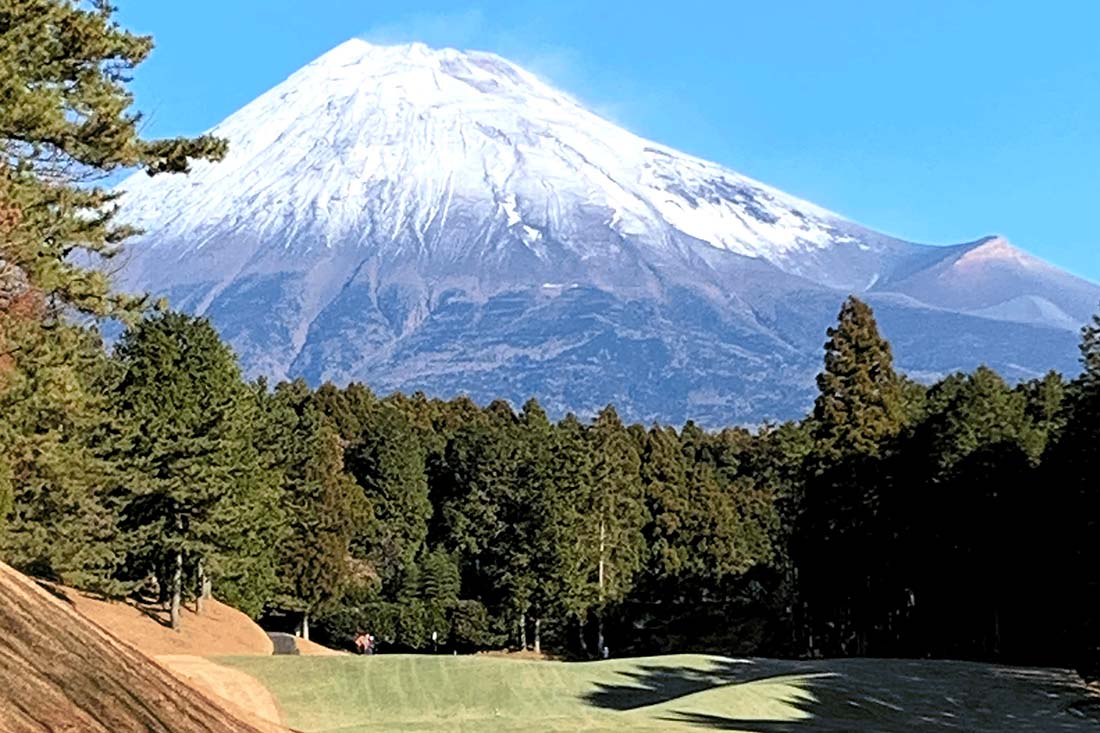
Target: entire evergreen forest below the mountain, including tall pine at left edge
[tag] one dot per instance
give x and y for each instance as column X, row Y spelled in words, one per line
column 954, row 520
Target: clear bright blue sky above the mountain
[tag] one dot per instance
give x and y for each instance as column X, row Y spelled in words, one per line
column 937, row 122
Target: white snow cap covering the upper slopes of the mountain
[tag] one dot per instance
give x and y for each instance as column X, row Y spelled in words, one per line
column 422, row 133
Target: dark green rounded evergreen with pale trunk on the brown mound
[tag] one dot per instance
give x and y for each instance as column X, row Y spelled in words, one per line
column 197, row 502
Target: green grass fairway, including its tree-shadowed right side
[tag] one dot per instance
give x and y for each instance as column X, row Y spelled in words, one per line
column 487, row 695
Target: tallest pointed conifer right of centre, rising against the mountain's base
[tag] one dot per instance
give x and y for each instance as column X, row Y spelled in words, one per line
column 845, row 523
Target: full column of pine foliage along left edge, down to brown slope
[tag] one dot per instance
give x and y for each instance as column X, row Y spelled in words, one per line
column 65, row 125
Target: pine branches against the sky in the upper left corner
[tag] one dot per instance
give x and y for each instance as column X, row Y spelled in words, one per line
column 64, row 125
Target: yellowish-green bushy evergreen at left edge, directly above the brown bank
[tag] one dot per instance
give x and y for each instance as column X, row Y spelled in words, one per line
column 53, row 422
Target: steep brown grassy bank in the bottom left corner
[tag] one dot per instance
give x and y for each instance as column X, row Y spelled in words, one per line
column 59, row 672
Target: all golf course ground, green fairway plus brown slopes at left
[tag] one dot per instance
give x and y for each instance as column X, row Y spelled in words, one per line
column 69, row 658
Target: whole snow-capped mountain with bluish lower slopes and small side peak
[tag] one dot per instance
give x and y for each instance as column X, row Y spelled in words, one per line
column 445, row 221
